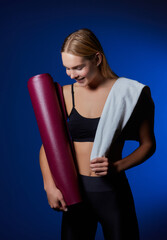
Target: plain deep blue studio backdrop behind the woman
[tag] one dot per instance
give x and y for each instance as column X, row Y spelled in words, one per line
column 134, row 37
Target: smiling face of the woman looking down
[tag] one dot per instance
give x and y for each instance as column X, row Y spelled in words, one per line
column 82, row 70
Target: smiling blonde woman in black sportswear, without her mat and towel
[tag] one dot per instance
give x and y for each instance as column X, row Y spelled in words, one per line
column 104, row 187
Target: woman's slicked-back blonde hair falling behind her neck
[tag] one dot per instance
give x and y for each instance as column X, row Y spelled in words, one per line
column 85, row 44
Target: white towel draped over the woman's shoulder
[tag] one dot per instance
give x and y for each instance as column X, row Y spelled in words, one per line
column 117, row 110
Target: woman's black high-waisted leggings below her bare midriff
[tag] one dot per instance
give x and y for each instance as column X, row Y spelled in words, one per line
column 107, row 200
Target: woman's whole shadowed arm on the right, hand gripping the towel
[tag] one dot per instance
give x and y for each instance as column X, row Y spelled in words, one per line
column 140, row 128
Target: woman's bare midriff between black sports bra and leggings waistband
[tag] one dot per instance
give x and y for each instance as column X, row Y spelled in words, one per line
column 83, row 152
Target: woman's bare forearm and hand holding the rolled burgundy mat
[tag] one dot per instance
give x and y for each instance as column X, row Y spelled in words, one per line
column 54, row 195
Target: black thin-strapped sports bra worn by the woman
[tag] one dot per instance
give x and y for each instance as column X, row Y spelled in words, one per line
column 81, row 129
